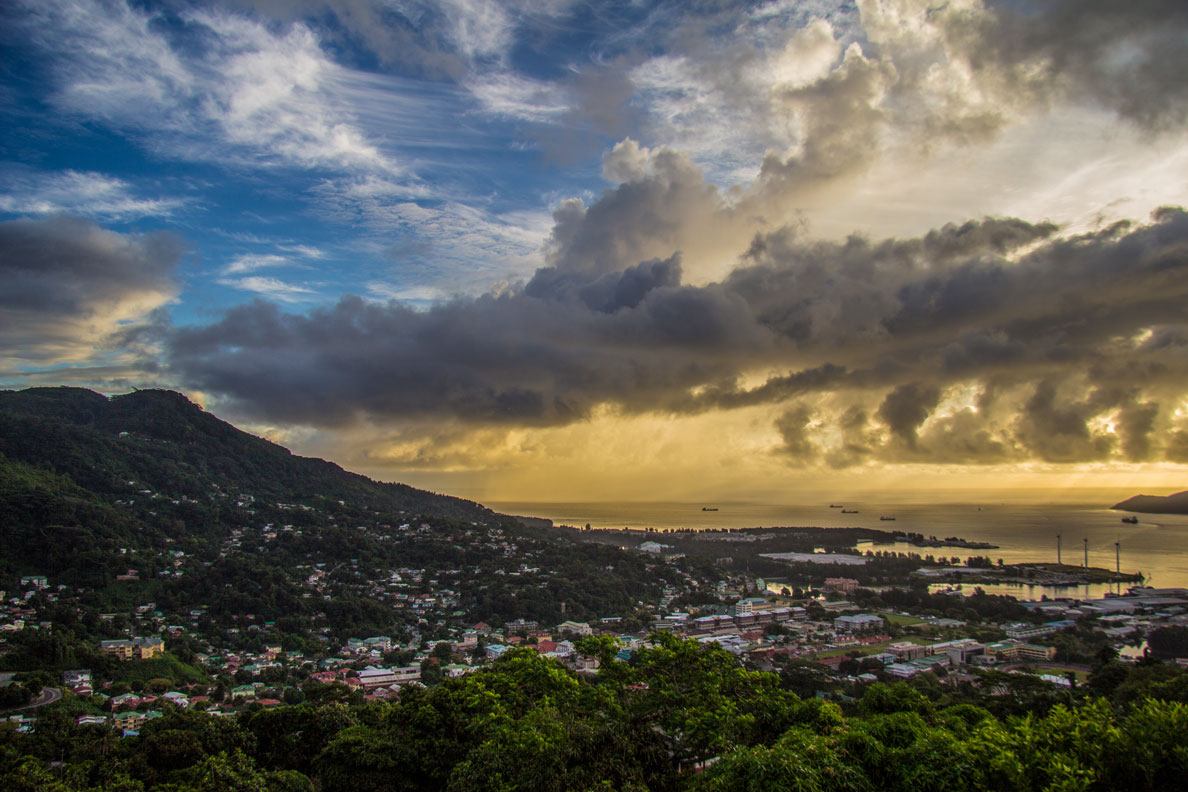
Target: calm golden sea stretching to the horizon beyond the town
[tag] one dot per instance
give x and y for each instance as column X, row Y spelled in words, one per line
column 1158, row 547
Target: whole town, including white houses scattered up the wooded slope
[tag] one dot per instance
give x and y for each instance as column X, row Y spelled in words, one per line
column 213, row 658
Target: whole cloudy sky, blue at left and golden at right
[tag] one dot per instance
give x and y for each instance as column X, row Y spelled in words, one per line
column 559, row 251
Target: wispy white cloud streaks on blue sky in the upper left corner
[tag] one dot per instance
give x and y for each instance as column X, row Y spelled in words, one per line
column 244, row 93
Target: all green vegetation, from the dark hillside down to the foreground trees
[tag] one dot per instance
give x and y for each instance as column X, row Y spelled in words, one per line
column 150, row 516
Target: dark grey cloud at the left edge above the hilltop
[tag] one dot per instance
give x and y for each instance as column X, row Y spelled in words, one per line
column 66, row 284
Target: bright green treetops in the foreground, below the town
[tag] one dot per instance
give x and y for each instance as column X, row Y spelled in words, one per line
column 679, row 715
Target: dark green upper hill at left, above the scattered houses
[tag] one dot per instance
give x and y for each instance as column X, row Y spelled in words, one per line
column 83, row 476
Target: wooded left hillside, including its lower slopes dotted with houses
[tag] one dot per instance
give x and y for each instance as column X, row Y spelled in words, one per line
column 148, row 499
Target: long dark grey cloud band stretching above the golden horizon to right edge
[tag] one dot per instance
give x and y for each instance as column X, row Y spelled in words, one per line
column 1073, row 332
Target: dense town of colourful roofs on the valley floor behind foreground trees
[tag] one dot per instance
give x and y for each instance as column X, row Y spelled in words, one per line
column 249, row 667
